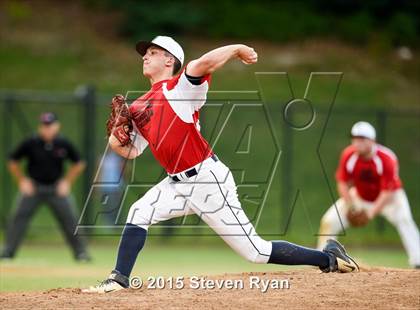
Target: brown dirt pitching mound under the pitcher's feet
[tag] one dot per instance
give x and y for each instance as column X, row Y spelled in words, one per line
column 375, row 288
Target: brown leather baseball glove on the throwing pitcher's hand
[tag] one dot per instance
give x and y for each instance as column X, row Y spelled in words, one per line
column 119, row 121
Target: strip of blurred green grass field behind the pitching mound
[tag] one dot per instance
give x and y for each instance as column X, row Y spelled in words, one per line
column 41, row 267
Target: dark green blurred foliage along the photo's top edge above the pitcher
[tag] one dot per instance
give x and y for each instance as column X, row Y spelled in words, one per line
column 356, row 21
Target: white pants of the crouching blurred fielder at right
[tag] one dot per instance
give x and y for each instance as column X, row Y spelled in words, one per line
column 397, row 212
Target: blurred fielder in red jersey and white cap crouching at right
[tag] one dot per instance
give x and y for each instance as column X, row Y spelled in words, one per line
column 367, row 178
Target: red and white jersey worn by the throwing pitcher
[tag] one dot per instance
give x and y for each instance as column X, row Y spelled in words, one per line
column 167, row 119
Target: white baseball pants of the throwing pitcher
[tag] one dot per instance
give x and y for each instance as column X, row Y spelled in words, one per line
column 211, row 194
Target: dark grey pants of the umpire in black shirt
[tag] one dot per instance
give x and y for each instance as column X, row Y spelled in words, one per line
column 62, row 208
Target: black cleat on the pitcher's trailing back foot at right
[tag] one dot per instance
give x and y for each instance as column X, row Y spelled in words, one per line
column 340, row 260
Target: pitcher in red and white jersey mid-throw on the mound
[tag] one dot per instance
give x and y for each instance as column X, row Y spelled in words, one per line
column 166, row 119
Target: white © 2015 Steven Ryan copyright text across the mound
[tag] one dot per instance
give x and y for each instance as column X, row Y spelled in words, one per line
column 202, row 283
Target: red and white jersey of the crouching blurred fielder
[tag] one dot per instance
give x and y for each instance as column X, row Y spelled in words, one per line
column 369, row 176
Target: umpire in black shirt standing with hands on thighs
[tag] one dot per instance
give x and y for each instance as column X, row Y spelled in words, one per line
column 45, row 181
